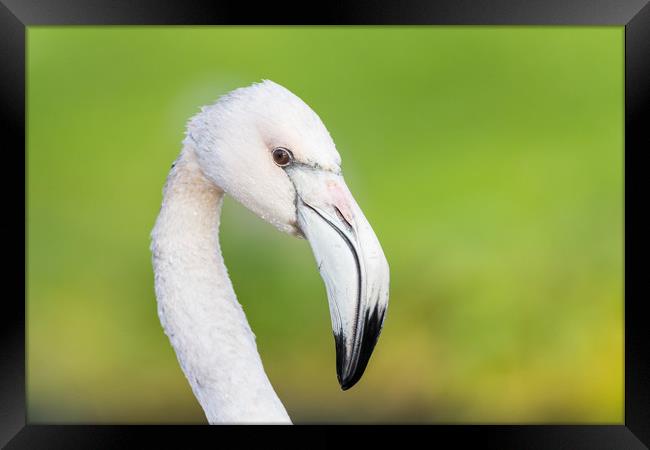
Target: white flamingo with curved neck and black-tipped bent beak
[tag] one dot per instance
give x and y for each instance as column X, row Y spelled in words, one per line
column 266, row 148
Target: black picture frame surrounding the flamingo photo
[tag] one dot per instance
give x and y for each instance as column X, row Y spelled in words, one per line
column 16, row 15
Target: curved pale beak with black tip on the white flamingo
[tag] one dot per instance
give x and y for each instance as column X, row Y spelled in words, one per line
column 351, row 263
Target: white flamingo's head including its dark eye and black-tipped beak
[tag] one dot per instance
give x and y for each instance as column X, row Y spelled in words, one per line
column 270, row 151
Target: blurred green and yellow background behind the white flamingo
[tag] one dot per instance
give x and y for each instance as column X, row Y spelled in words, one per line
column 489, row 161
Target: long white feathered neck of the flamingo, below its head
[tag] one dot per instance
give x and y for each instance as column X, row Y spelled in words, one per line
column 197, row 305
